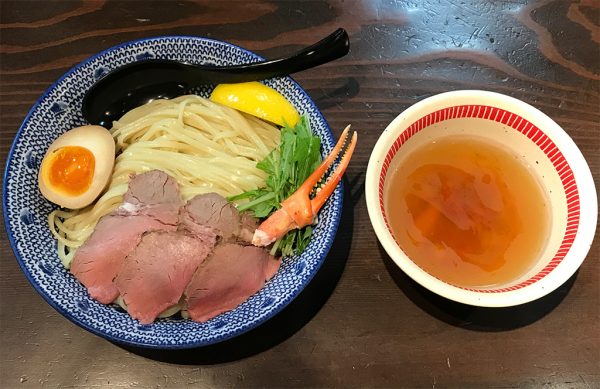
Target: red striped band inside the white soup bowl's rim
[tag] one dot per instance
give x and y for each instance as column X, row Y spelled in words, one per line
column 530, row 131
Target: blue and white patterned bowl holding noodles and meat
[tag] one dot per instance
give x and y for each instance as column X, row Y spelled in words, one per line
column 25, row 210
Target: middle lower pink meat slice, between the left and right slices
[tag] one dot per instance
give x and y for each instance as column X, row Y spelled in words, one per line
column 154, row 276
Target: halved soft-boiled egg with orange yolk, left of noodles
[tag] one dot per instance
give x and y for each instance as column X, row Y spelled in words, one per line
column 77, row 166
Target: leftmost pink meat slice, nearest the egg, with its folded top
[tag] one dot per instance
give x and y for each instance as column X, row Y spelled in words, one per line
column 98, row 260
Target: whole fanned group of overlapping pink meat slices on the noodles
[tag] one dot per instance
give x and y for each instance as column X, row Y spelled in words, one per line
column 154, row 249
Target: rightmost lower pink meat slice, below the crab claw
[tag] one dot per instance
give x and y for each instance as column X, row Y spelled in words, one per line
column 227, row 278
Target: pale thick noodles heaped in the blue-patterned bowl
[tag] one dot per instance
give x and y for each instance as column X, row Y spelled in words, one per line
column 204, row 146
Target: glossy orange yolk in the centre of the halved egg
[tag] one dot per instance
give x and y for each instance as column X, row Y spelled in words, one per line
column 71, row 169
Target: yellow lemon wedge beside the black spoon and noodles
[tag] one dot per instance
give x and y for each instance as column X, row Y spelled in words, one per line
column 257, row 99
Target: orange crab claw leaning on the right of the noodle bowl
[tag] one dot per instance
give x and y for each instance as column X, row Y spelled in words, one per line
column 299, row 209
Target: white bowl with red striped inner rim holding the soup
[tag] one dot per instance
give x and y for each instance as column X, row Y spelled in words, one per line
column 542, row 145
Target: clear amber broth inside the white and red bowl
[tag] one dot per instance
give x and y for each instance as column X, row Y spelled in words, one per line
column 467, row 211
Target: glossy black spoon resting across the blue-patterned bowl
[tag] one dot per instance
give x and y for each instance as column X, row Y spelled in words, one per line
column 137, row 83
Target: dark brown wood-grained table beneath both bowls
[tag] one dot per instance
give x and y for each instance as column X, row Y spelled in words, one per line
column 361, row 322
